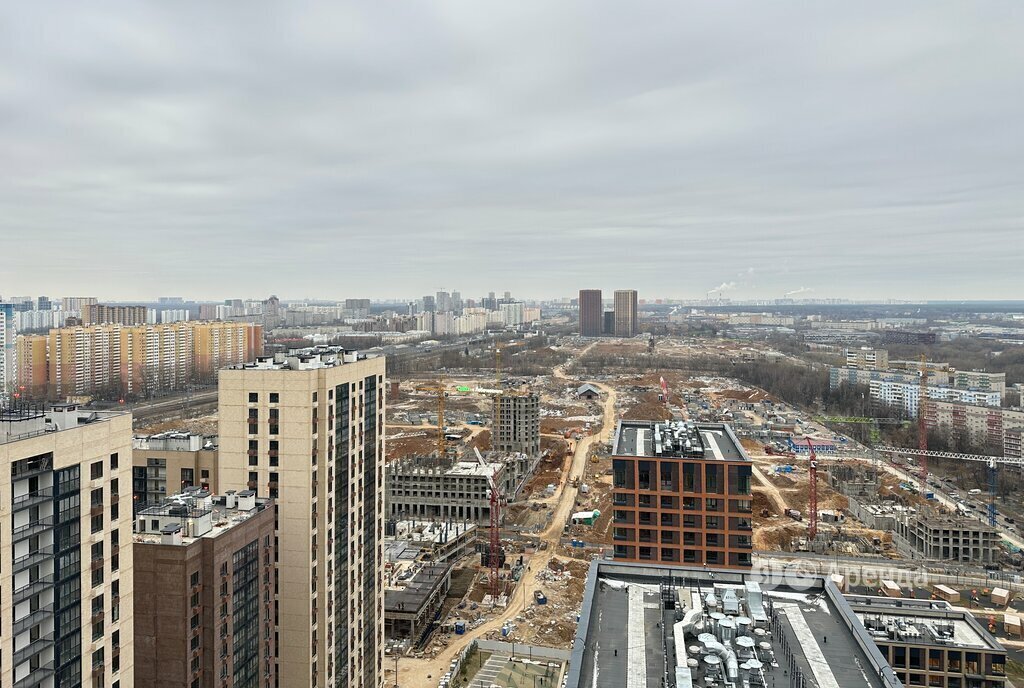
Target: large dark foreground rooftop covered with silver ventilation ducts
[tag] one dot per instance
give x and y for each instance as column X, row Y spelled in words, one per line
column 648, row 627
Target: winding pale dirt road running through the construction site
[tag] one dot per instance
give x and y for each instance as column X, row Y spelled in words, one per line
column 426, row 673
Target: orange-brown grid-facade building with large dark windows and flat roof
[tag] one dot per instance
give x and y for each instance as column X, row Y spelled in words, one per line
column 681, row 494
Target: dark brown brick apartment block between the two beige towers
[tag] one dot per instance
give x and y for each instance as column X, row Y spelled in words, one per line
column 204, row 592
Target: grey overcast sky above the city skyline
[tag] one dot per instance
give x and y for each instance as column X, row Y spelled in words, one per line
column 394, row 149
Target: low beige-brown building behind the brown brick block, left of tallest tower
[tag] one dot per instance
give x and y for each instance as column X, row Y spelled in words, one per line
column 169, row 462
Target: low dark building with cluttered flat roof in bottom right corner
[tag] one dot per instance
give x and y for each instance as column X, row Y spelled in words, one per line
column 929, row 643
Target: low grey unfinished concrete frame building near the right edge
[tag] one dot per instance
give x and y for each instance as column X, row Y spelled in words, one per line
column 933, row 535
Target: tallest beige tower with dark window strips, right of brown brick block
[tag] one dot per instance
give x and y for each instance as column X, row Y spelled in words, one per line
column 308, row 431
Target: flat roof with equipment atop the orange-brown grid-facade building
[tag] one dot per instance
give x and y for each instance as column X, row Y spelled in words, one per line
column 677, row 440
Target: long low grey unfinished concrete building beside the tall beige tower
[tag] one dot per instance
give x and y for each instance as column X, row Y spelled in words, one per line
column 433, row 489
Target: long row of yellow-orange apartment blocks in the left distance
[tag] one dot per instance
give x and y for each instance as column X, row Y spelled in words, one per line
column 121, row 361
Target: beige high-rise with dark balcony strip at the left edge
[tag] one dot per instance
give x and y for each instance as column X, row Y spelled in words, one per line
column 66, row 584
